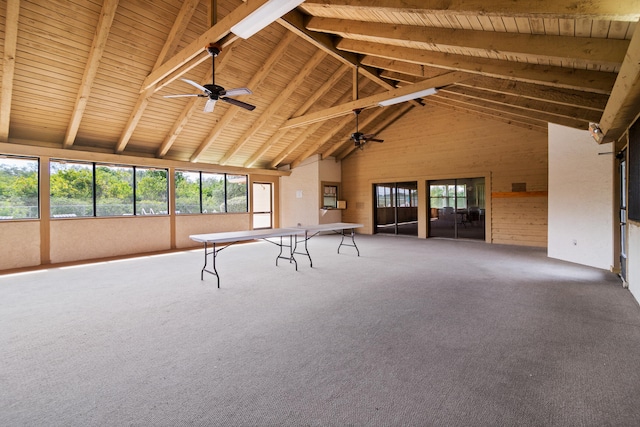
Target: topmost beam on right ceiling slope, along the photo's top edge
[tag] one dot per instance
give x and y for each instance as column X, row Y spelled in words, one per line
column 628, row 10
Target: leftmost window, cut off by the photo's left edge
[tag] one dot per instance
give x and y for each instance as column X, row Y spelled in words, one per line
column 18, row 188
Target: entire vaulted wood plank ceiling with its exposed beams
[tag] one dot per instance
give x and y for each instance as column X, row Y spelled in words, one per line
column 92, row 74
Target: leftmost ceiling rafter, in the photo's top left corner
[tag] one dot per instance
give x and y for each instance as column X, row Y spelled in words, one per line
column 8, row 65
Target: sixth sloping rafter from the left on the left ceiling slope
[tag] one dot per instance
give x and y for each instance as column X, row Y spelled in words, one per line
column 275, row 105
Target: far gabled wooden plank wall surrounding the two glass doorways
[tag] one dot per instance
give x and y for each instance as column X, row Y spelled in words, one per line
column 436, row 143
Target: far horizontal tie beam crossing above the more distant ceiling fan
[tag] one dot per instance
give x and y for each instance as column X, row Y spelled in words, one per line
column 372, row 101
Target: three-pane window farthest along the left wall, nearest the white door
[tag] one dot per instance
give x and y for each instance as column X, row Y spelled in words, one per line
column 203, row 192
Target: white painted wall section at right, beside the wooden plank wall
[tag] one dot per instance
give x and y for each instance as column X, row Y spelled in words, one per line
column 581, row 191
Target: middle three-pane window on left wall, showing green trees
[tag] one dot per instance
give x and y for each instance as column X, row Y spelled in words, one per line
column 89, row 189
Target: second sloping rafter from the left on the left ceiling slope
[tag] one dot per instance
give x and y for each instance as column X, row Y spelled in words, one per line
column 103, row 28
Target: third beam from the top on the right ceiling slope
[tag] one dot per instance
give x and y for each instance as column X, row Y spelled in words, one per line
column 584, row 80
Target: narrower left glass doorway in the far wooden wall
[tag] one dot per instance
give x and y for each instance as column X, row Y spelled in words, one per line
column 396, row 208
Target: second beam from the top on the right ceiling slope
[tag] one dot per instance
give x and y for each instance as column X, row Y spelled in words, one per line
column 607, row 52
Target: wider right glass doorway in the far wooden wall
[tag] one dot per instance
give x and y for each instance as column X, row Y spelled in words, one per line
column 457, row 208
